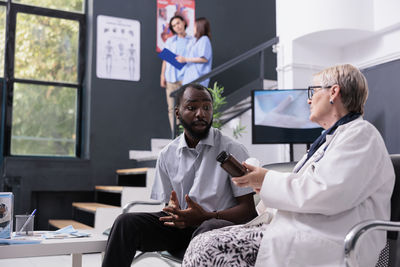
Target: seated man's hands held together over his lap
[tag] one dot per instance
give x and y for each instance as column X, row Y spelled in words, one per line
column 194, row 215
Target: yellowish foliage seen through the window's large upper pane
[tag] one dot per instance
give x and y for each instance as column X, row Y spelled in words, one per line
column 46, row 48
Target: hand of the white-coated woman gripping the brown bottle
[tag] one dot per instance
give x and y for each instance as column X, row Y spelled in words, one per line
column 253, row 178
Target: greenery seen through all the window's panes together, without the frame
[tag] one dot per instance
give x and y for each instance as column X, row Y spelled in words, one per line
column 44, row 117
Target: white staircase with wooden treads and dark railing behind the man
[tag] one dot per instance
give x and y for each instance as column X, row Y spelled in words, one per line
column 135, row 184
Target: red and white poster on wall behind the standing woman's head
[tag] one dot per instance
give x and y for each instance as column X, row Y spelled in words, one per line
column 166, row 9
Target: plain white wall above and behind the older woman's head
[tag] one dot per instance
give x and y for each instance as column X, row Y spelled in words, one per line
column 314, row 34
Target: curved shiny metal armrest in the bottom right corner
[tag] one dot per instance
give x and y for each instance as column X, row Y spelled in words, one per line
column 353, row 236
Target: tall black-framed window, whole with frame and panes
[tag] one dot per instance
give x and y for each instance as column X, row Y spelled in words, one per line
column 43, row 72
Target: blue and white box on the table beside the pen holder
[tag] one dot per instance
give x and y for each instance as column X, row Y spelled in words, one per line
column 6, row 214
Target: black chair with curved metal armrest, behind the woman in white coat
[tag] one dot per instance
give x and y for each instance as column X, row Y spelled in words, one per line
column 388, row 255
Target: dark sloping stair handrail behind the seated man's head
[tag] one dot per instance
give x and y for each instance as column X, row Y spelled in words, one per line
column 230, row 63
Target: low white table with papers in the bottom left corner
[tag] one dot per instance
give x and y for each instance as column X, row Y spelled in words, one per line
column 96, row 243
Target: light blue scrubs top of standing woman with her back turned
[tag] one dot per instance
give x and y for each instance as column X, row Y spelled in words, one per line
column 198, row 48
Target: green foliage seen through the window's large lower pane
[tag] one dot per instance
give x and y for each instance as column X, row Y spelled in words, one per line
column 44, row 120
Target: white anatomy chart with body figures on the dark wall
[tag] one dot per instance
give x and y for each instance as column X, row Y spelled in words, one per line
column 118, row 48
